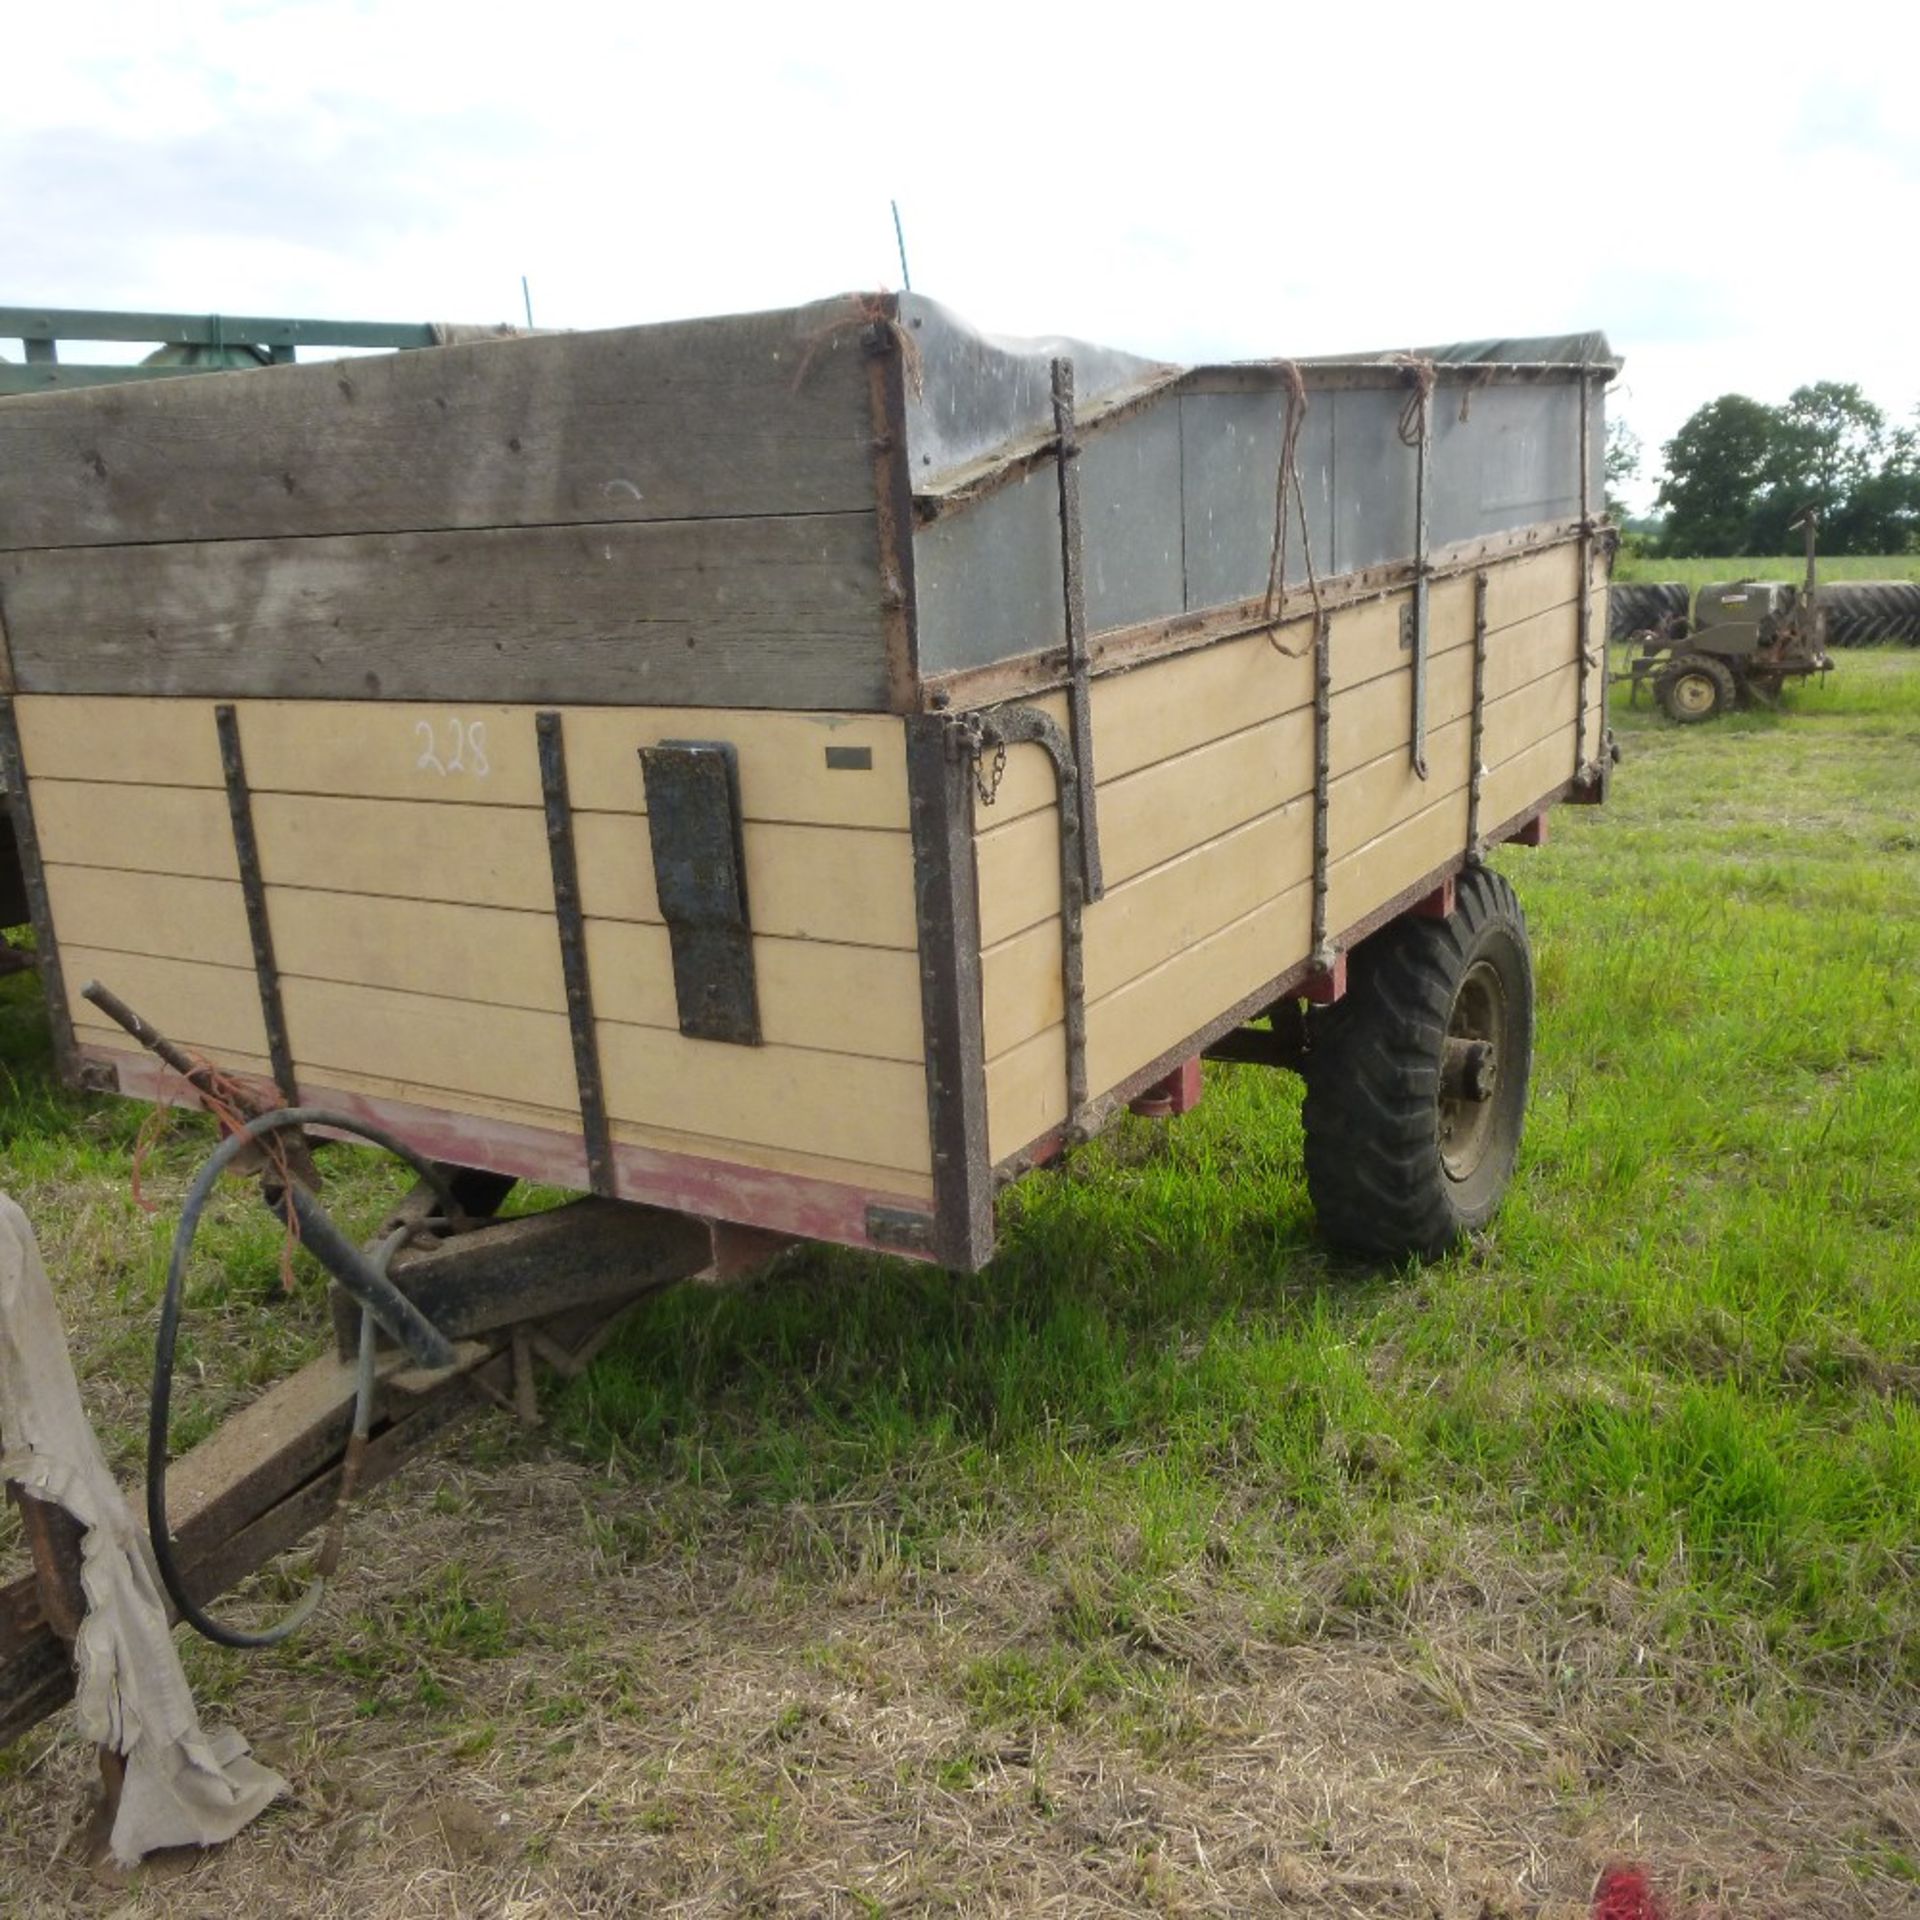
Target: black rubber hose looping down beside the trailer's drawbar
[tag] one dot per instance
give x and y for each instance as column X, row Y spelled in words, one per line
column 166, row 1341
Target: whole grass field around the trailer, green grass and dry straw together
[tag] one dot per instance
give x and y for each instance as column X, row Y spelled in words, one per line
column 1170, row 1568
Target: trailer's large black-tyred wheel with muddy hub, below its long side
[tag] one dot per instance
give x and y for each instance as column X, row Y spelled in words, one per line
column 1418, row 1078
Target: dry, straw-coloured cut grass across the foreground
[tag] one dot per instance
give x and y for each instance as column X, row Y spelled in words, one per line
column 506, row 1719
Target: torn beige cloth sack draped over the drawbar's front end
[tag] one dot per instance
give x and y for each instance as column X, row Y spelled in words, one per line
column 183, row 1787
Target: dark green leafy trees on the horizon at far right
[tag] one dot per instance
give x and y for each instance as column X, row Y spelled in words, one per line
column 1740, row 473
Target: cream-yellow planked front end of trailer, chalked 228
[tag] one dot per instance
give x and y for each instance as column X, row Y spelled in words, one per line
column 414, row 921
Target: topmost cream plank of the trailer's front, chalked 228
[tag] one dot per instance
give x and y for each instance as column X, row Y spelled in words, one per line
column 475, row 754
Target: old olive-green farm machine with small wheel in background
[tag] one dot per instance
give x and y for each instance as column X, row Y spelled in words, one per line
column 1742, row 644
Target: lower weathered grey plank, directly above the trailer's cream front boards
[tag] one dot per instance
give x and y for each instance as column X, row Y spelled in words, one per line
column 731, row 612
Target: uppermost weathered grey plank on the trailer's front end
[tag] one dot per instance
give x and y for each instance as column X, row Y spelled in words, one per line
column 759, row 414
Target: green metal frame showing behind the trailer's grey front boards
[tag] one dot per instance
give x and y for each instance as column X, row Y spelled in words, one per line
column 224, row 335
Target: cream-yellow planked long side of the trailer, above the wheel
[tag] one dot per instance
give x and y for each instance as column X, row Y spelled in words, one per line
column 1207, row 821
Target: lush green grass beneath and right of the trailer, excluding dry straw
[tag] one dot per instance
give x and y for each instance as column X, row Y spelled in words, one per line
column 1685, row 1368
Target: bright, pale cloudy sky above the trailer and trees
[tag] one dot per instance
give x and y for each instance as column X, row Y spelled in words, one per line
column 1731, row 195
